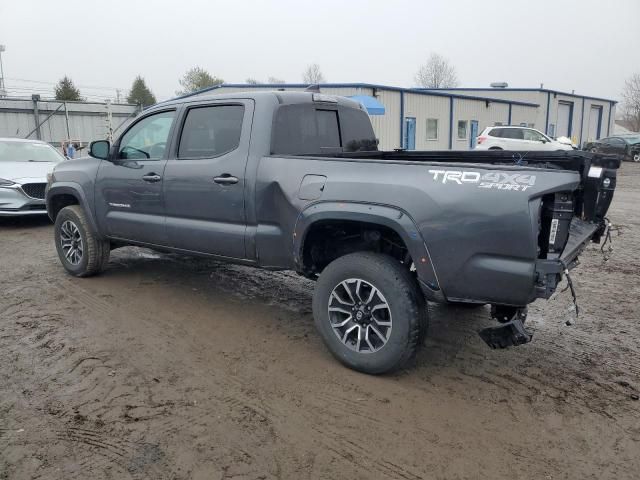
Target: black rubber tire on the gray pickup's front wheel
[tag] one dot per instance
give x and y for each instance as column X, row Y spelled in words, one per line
column 94, row 255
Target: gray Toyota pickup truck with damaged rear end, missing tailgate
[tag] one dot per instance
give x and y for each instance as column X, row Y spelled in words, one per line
column 294, row 180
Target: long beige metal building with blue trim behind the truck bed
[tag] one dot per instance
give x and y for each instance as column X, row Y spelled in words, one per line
column 421, row 119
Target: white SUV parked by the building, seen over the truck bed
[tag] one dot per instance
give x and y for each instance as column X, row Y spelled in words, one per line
column 517, row 138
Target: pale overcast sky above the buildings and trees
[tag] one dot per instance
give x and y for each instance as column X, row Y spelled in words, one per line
column 587, row 46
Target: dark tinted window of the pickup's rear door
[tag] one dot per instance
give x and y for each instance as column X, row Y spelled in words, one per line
column 211, row 131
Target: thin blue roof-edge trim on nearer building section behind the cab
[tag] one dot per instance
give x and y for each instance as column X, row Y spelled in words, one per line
column 417, row 91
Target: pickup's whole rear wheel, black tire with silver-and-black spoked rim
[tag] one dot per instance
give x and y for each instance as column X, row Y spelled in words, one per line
column 370, row 312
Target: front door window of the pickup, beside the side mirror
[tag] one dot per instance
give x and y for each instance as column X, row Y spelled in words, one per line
column 147, row 139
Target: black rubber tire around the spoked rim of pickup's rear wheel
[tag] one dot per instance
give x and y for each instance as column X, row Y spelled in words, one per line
column 405, row 304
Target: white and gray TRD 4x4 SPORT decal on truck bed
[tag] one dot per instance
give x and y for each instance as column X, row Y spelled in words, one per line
column 497, row 180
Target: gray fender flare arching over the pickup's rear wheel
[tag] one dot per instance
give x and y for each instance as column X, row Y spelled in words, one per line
column 386, row 217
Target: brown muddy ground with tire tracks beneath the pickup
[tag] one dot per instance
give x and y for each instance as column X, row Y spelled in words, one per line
column 172, row 368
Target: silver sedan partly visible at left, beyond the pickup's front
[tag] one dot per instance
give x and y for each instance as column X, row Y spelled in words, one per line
column 24, row 165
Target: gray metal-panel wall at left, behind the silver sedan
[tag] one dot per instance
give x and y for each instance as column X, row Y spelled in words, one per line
column 55, row 122
